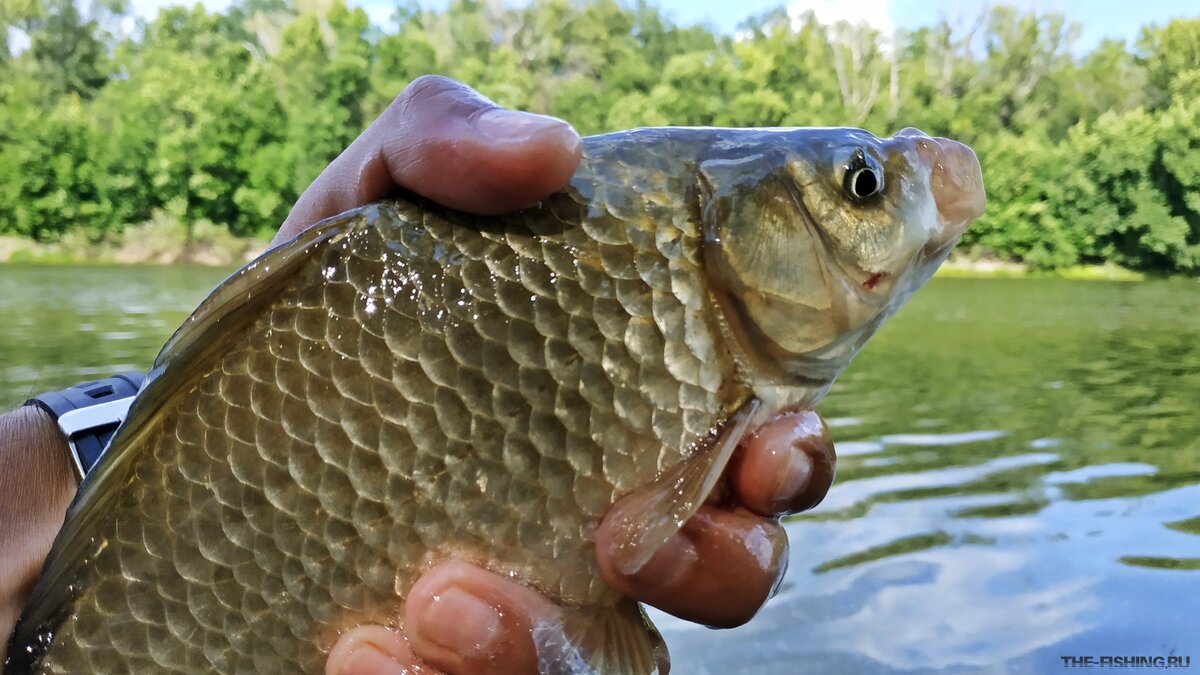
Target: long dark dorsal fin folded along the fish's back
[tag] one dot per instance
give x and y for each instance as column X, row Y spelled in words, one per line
column 232, row 306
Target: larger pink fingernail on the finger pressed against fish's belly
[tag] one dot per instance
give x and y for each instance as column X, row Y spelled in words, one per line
column 461, row 623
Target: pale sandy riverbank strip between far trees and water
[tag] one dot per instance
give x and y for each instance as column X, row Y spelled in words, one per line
column 166, row 242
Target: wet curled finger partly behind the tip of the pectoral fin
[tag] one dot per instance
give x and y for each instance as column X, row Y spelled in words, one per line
column 718, row 570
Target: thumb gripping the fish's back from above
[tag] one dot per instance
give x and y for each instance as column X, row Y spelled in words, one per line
column 447, row 142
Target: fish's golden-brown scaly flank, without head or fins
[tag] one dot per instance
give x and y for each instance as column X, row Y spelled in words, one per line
column 418, row 390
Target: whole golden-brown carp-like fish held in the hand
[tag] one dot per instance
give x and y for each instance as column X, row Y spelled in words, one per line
column 404, row 385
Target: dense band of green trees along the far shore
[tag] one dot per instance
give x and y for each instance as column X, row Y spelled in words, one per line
column 221, row 120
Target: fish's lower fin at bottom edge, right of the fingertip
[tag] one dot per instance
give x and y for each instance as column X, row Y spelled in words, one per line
column 601, row 641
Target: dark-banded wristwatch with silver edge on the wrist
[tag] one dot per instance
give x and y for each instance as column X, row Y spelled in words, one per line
column 89, row 414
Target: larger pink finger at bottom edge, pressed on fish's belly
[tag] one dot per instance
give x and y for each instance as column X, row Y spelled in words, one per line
column 466, row 620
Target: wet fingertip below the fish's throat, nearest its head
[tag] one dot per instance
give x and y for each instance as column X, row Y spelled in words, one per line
column 787, row 467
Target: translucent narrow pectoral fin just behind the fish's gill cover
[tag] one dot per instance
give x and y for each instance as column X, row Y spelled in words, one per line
column 650, row 516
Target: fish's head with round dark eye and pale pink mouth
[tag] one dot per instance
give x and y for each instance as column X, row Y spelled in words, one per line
column 814, row 237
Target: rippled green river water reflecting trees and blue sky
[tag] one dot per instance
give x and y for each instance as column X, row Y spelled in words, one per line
column 1019, row 474
